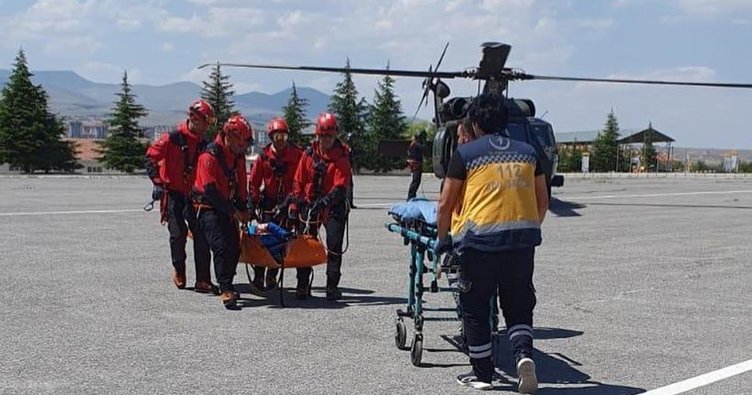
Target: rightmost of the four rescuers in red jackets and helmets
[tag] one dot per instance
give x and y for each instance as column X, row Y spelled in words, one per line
column 320, row 185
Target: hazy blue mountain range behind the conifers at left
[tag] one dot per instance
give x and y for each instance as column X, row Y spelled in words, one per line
column 73, row 96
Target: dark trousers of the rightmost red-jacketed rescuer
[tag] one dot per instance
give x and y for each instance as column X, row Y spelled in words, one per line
column 335, row 235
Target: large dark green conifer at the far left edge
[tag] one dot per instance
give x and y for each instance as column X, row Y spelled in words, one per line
column 31, row 137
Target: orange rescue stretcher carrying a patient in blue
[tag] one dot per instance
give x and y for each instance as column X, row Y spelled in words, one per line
column 271, row 246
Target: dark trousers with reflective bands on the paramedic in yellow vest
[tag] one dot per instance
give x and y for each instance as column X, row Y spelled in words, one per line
column 512, row 273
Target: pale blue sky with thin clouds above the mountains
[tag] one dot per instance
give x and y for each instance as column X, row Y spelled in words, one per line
column 160, row 41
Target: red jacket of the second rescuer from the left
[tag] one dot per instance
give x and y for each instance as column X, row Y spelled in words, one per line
column 221, row 185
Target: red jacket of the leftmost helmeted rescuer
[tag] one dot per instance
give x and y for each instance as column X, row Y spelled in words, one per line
column 171, row 160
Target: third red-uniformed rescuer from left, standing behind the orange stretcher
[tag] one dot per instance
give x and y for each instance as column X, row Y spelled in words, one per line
column 269, row 185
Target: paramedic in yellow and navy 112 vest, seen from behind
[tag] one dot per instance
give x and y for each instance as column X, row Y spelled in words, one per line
column 500, row 184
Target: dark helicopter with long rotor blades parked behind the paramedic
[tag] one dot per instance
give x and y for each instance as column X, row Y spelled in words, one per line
column 522, row 124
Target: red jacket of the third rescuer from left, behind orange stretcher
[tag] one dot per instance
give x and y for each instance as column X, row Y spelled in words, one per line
column 272, row 174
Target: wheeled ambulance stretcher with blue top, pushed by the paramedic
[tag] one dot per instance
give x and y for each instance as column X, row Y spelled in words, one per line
column 415, row 221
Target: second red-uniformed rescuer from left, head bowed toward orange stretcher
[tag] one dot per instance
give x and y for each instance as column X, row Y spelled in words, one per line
column 220, row 198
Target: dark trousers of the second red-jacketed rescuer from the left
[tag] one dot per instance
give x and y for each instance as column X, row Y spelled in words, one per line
column 222, row 235
